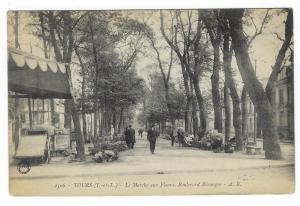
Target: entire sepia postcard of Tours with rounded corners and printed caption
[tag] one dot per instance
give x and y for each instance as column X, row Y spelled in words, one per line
column 151, row 102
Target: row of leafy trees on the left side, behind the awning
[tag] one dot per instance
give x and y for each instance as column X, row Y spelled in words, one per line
column 106, row 46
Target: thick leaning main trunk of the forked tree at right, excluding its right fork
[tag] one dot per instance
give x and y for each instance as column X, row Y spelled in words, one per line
column 254, row 87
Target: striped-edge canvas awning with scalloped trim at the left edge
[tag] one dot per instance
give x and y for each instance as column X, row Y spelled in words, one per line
column 36, row 77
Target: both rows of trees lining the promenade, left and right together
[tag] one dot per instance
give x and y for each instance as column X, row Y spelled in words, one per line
column 107, row 44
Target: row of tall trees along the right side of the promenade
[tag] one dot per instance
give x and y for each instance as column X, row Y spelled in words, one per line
column 204, row 42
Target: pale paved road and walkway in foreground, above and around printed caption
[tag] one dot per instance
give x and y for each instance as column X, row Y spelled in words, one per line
column 166, row 166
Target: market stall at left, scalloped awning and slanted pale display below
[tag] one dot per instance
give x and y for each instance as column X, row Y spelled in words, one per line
column 34, row 77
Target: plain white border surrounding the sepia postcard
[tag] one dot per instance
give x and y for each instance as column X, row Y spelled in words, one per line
column 6, row 199
